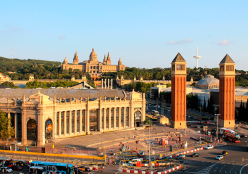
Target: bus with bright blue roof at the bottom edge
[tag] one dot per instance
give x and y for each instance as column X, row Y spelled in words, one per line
column 62, row 168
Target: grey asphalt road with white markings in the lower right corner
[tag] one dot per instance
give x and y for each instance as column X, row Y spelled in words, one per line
column 206, row 163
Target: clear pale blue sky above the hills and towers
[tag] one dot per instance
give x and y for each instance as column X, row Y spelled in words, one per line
column 143, row 33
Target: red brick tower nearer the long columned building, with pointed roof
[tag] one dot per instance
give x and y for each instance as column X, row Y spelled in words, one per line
column 178, row 92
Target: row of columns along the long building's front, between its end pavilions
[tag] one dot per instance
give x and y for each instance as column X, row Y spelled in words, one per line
column 76, row 122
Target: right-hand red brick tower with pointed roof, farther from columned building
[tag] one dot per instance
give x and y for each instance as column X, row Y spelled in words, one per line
column 227, row 92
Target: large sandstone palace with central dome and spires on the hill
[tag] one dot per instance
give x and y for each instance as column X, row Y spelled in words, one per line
column 93, row 66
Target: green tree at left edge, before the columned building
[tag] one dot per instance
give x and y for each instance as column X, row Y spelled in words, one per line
column 6, row 130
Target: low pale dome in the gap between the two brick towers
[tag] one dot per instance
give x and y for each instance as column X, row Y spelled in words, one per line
column 208, row 82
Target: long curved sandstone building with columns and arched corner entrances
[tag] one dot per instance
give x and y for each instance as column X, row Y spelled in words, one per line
column 40, row 115
